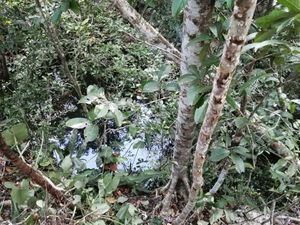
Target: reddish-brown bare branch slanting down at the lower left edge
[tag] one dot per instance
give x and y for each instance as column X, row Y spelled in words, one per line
column 35, row 175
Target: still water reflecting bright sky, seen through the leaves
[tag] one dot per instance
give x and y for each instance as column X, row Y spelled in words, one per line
column 139, row 154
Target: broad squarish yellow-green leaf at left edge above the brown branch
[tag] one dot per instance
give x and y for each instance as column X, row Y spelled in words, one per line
column 16, row 134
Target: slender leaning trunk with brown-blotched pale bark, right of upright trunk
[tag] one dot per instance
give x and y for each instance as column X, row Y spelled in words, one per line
column 239, row 26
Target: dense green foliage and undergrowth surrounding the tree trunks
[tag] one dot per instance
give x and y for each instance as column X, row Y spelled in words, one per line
column 122, row 119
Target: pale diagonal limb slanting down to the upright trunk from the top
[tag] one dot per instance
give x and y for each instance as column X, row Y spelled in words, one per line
column 149, row 32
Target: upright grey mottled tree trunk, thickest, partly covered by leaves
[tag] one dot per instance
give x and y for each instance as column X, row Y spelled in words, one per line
column 197, row 15
